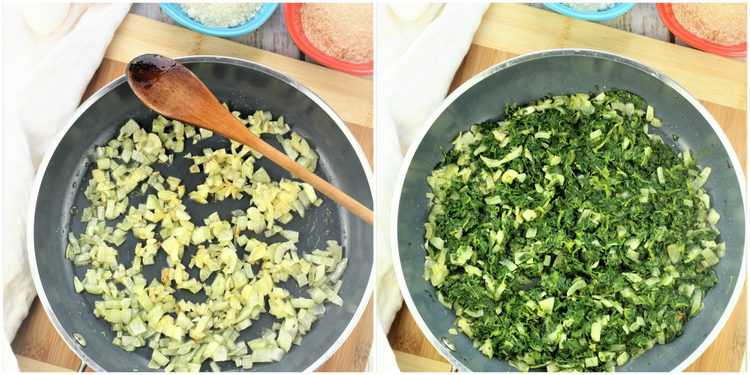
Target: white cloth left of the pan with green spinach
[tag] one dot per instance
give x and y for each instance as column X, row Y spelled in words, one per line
column 420, row 47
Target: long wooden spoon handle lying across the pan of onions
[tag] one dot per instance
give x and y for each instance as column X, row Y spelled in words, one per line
column 241, row 134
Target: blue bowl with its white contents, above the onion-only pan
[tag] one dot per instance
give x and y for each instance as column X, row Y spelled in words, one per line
column 220, row 19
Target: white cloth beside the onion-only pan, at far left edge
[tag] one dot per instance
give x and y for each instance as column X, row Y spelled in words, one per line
column 51, row 51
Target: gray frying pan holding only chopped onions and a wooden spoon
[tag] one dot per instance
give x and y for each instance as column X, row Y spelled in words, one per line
column 58, row 199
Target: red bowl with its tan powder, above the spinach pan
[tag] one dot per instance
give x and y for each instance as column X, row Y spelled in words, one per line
column 711, row 27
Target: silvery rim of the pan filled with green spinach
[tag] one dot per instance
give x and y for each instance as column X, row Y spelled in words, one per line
column 408, row 158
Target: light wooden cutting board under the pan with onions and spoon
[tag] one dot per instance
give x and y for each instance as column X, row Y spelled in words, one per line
column 37, row 344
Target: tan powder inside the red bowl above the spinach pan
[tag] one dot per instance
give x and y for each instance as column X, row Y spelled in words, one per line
column 724, row 24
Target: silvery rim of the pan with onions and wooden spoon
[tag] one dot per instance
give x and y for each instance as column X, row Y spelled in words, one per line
column 83, row 107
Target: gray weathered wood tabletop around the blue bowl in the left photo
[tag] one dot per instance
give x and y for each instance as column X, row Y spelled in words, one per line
column 272, row 36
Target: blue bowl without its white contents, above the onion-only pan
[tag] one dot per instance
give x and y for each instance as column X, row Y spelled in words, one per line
column 176, row 13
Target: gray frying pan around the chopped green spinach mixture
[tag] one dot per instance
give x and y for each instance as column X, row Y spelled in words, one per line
column 568, row 71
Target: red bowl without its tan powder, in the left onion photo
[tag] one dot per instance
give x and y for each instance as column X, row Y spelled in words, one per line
column 294, row 27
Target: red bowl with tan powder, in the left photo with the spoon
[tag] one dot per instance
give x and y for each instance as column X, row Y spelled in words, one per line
column 336, row 35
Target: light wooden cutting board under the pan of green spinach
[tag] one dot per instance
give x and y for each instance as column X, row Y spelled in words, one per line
column 508, row 30
